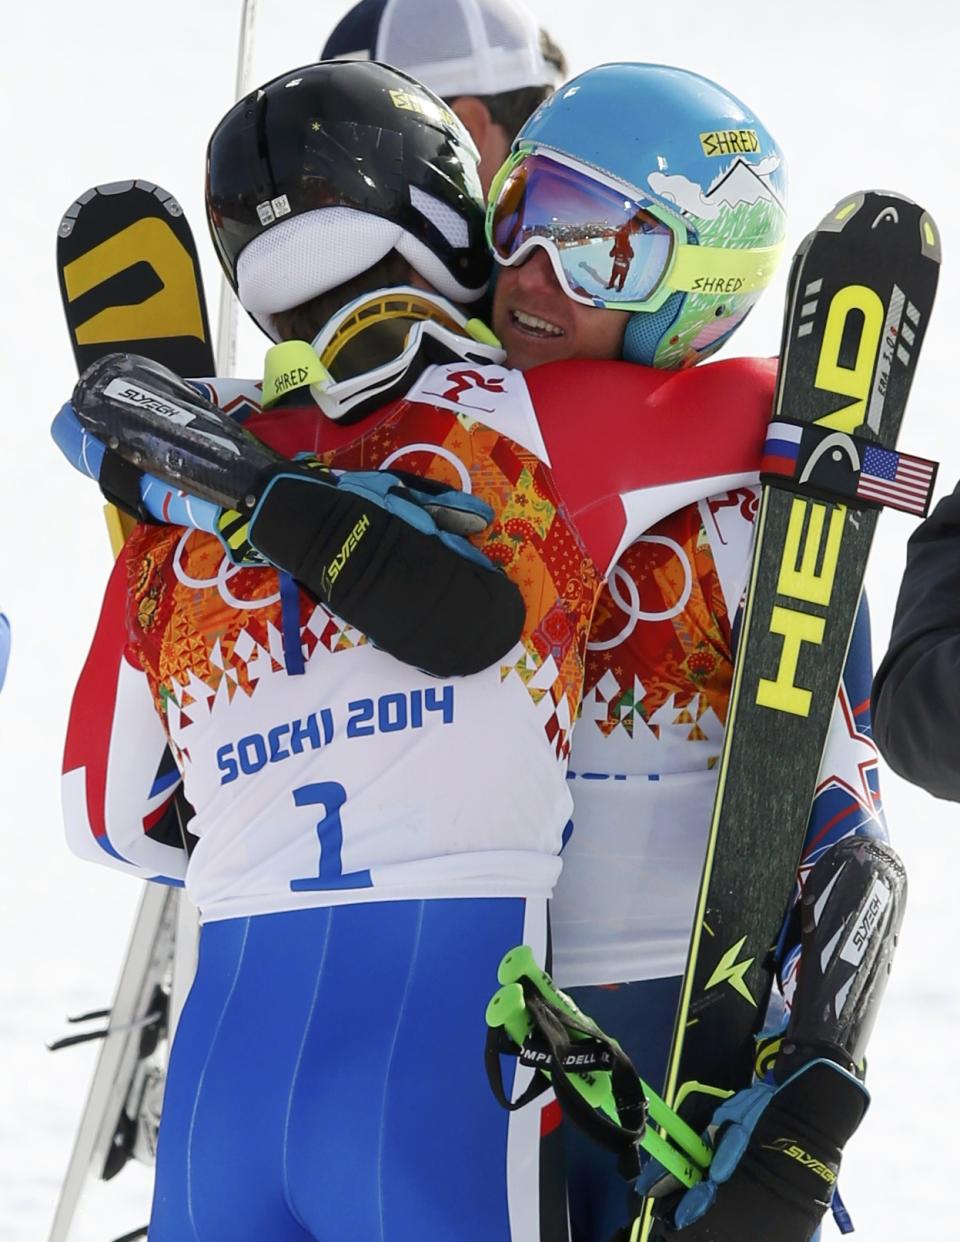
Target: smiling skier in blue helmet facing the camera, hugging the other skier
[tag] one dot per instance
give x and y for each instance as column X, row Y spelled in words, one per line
column 661, row 650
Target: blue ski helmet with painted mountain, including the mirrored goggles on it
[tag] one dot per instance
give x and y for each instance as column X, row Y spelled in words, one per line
column 679, row 175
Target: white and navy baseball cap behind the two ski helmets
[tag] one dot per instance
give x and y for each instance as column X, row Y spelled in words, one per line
column 453, row 47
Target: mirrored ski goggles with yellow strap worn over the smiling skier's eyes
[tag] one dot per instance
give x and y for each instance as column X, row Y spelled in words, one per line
column 609, row 247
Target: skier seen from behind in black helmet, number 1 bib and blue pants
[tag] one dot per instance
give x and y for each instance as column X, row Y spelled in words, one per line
column 357, row 884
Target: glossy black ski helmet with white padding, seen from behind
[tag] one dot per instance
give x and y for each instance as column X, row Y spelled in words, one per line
column 315, row 177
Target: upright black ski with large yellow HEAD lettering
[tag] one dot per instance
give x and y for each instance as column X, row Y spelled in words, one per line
column 860, row 296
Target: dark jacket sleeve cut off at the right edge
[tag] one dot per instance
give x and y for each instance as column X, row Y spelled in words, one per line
column 917, row 689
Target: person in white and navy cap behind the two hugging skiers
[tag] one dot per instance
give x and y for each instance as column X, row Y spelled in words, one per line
column 489, row 59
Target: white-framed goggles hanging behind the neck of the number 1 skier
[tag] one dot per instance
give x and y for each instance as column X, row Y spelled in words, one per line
column 374, row 348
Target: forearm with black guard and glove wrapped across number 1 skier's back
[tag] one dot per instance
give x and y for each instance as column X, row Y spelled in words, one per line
column 386, row 553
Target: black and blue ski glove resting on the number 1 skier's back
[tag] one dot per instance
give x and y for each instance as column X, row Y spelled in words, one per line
column 392, row 561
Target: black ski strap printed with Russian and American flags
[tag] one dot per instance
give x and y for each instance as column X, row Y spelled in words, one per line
column 819, row 461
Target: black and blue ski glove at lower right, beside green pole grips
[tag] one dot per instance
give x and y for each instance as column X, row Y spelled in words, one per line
column 777, row 1154
